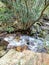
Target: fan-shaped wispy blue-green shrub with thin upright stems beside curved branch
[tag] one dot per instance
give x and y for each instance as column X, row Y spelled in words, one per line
column 26, row 10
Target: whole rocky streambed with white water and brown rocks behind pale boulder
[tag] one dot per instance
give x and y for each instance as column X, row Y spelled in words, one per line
column 22, row 42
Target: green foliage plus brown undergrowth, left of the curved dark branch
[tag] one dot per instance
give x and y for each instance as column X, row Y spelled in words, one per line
column 24, row 11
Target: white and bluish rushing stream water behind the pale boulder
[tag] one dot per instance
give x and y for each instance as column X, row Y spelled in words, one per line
column 33, row 44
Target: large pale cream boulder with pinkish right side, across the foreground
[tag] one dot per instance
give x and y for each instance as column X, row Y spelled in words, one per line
column 24, row 58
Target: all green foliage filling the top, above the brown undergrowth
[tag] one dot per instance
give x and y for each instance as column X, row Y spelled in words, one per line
column 25, row 11
